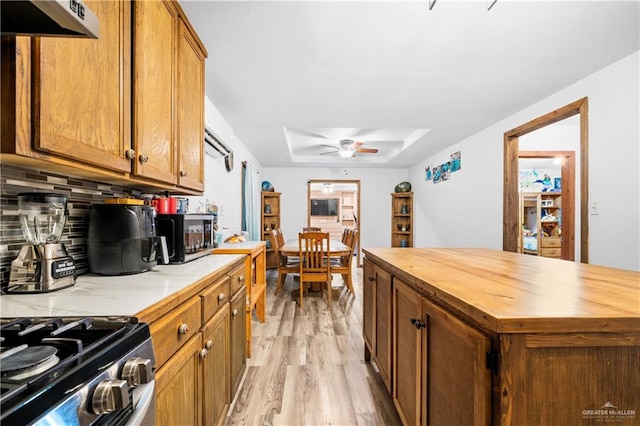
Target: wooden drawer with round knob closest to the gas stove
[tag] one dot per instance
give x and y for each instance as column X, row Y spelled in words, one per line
column 170, row 332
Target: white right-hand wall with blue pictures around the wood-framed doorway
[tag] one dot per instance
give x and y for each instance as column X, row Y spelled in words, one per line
column 466, row 211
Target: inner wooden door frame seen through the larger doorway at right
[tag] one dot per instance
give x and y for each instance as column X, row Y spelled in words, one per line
column 567, row 174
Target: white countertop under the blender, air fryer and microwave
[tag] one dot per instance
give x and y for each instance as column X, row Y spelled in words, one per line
column 113, row 296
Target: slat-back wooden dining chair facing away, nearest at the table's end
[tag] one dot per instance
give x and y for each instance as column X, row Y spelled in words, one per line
column 313, row 248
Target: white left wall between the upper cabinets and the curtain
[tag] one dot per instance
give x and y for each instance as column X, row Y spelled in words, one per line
column 223, row 188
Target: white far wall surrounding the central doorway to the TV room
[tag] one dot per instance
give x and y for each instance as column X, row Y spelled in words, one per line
column 376, row 185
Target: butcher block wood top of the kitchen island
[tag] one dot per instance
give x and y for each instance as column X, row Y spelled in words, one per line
column 507, row 292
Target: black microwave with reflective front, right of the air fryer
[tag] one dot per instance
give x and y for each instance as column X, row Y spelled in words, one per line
column 188, row 236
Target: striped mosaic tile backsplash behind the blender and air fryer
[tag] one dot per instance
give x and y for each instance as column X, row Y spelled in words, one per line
column 80, row 195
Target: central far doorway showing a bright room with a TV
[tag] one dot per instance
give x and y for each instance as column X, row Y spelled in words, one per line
column 334, row 205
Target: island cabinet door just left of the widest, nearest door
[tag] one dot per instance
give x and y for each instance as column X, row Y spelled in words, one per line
column 408, row 336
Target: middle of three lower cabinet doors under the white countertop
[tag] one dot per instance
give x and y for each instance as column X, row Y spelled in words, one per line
column 215, row 368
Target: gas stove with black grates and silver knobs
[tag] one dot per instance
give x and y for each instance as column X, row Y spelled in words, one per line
column 77, row 372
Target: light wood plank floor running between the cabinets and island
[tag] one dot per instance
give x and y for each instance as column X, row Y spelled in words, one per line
column 307, row 365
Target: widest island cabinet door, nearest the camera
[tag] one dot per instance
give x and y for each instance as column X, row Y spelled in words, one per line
column 458, row 382
